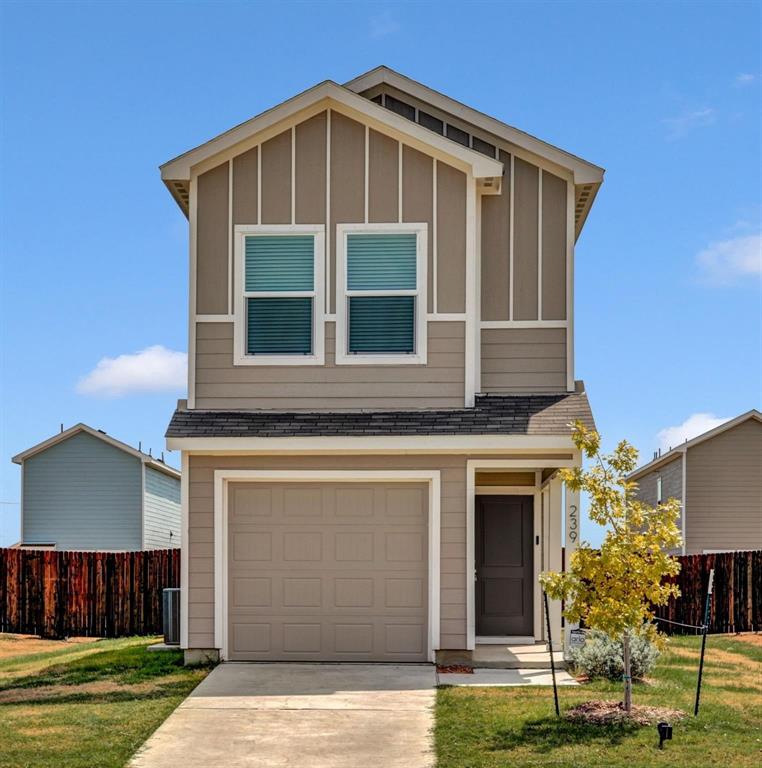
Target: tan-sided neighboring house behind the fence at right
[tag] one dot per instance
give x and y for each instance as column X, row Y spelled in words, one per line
column 717, row 478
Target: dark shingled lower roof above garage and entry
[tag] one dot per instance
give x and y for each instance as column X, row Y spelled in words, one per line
column 492, row 415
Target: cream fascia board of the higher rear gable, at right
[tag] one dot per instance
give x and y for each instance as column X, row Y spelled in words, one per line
column 584, row 171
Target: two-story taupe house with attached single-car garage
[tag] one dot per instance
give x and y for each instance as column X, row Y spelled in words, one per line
column 381, row 376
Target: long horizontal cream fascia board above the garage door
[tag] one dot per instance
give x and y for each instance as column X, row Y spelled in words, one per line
column 389, row 444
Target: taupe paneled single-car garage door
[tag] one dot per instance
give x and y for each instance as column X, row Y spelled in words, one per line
column 327, row 571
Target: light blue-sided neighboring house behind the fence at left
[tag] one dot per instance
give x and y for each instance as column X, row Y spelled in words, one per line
column 84, row 490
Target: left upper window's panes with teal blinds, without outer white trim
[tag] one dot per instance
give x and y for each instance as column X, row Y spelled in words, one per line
column 284, row 265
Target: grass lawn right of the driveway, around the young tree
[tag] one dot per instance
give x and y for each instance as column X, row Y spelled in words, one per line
column 517, row 727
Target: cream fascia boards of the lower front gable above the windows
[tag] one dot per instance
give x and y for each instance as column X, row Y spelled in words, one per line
column 343, row 100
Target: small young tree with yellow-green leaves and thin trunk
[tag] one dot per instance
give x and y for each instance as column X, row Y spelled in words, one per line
column 614, row 587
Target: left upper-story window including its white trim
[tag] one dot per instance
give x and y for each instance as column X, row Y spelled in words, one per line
column 279, row 317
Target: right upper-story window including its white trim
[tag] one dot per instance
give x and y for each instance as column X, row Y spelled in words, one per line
column 381, row 294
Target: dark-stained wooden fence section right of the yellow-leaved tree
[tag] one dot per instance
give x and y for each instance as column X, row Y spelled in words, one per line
column 737, row 598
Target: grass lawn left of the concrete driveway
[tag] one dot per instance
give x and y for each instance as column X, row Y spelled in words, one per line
column 87, row 705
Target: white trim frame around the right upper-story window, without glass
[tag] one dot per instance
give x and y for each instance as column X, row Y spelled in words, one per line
column 420, row 356
